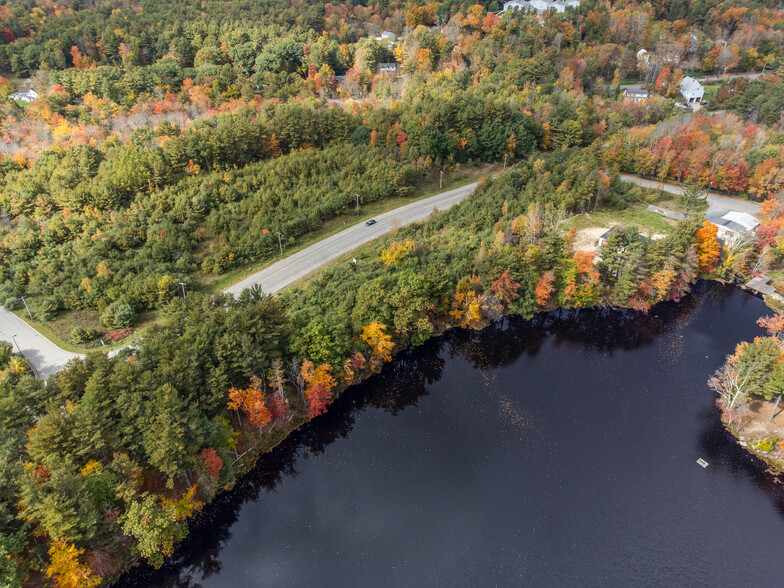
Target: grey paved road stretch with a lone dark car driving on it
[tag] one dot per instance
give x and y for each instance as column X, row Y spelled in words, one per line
column 285, row 272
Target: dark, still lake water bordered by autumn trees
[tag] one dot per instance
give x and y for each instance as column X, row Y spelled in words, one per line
column 555, row 453
